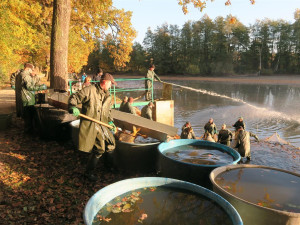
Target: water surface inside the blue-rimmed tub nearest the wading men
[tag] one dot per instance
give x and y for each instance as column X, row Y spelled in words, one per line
column 199, row 155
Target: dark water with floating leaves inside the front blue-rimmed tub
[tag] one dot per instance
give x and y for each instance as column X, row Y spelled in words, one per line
column 161, row 206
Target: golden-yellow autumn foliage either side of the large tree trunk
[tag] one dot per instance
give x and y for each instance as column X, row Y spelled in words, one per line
column 25, row 28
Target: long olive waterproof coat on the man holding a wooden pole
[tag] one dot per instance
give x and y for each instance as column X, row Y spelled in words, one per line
column 96, row 103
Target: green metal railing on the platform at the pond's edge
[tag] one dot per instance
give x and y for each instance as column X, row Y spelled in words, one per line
column 113, row 90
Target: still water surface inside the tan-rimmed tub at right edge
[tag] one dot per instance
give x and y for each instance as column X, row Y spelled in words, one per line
column 264, row 187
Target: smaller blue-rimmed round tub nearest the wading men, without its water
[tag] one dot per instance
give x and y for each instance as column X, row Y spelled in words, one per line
column 196, row 173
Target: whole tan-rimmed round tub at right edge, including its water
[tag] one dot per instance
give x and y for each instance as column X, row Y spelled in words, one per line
column 259, row 205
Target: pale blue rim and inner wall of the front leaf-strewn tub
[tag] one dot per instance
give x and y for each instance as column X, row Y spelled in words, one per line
column 105, row 195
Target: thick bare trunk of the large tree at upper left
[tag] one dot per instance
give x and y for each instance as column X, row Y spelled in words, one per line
column 59, row 45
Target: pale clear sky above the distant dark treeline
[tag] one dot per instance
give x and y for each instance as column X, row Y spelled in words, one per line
column 154, row 13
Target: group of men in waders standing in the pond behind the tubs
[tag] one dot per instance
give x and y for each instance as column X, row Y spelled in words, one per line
column 225, row 136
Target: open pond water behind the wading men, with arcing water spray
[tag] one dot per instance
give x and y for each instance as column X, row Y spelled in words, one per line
column 266, row 109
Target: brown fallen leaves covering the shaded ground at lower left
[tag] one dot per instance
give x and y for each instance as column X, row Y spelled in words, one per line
column 41, row 182
